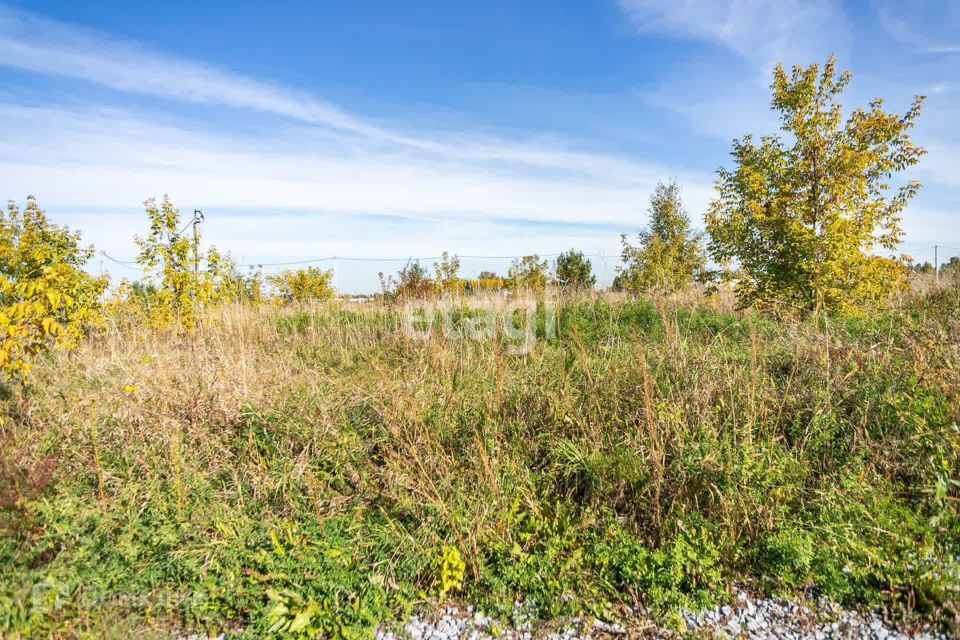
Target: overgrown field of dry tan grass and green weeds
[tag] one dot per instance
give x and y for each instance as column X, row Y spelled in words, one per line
column 316, row 470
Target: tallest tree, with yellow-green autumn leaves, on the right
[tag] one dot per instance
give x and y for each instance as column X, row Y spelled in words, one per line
column 805, row 217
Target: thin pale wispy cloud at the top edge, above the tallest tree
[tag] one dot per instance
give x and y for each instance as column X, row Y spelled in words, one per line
column 722, row 97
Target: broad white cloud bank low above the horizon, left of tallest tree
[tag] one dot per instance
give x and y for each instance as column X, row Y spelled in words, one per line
column 303, row 192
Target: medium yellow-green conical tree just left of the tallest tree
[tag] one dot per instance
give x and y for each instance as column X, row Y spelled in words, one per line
column 669, row 255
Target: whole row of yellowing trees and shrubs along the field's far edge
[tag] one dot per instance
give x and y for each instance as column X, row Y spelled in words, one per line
column 802, row 224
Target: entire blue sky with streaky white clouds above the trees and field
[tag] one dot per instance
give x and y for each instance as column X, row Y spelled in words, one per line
column 404, row 129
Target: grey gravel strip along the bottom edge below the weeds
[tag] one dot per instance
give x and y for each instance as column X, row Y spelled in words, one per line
column 746, row 617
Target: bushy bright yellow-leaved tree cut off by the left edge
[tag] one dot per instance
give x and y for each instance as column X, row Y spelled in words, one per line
column 47, row 300
